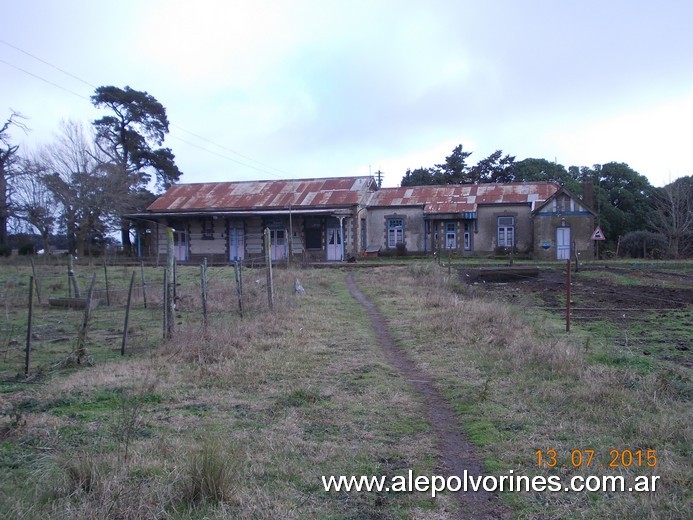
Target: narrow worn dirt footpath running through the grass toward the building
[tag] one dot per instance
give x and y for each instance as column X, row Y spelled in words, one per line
column 456, row 452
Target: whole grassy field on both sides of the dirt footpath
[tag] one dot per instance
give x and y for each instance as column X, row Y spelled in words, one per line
column 242, row 419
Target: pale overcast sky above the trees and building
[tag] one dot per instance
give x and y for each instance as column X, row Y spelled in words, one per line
column 308, row 88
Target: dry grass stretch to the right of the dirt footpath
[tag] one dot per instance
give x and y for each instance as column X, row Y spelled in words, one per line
column 520, row 384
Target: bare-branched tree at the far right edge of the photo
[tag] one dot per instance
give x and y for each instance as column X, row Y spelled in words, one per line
column 672, row 215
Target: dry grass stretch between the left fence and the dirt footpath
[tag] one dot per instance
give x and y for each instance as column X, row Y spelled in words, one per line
column 238, row 421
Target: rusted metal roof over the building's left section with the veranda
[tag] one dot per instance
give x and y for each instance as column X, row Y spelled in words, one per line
column 255, row 195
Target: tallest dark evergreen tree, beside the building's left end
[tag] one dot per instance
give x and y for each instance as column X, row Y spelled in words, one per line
column 129, row 137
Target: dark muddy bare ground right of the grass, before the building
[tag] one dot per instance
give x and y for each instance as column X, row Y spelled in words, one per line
column 640, row 304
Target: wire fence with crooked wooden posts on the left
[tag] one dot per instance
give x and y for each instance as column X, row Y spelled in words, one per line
column 48, row 325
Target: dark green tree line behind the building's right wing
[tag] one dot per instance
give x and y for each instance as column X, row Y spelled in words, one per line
column 627, row 205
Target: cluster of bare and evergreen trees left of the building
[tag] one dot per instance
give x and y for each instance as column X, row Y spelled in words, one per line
column 88, row 178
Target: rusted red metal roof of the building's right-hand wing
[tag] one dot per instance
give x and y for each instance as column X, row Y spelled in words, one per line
column 461, row 198
